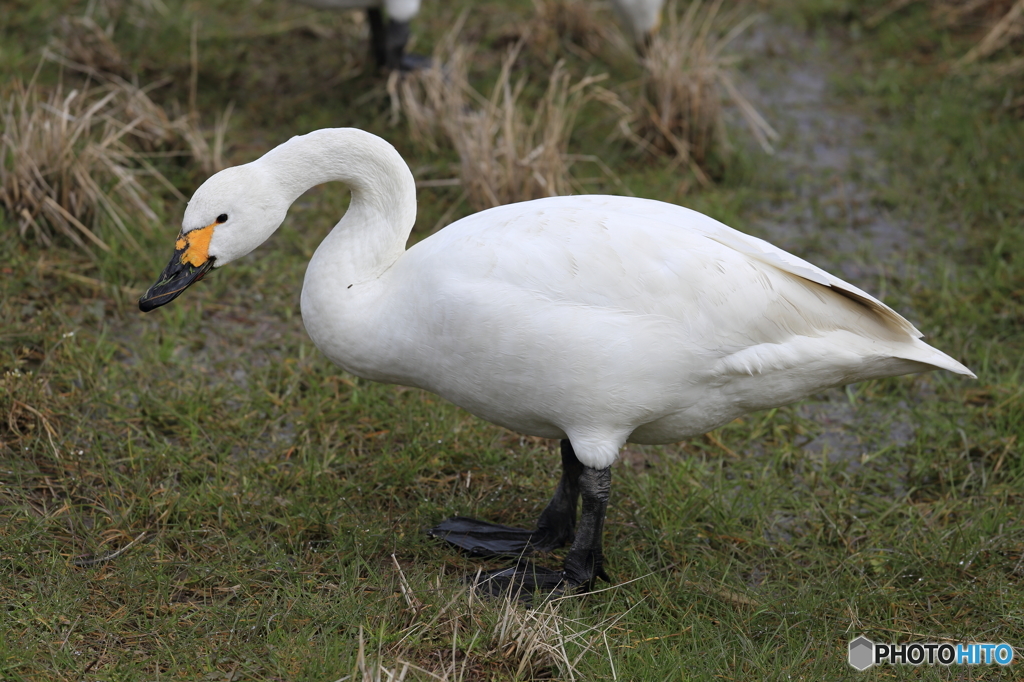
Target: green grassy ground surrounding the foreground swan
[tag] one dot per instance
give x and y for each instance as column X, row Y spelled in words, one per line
column 197, row 494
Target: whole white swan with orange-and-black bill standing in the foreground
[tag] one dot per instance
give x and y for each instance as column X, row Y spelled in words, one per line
column 595, row 320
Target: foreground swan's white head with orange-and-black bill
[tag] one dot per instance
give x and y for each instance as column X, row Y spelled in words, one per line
column 230, row 216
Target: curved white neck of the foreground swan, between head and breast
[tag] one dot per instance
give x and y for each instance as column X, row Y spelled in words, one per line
column 374, row 231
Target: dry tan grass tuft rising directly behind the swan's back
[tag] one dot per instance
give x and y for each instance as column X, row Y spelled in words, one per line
column 509, row 150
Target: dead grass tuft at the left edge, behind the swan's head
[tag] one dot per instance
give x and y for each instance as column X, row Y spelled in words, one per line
column 73, row 158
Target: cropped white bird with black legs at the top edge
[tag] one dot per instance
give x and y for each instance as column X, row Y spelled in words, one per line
column 390, row 38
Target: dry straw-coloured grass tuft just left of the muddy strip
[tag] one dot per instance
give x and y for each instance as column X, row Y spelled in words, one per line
column 688, row 76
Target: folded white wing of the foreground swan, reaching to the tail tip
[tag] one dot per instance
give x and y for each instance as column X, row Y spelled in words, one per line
column 727, row 292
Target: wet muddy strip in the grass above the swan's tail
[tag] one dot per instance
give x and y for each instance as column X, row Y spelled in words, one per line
column 825, row 173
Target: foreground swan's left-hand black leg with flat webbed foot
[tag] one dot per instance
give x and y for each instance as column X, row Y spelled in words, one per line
column 556, row 527
